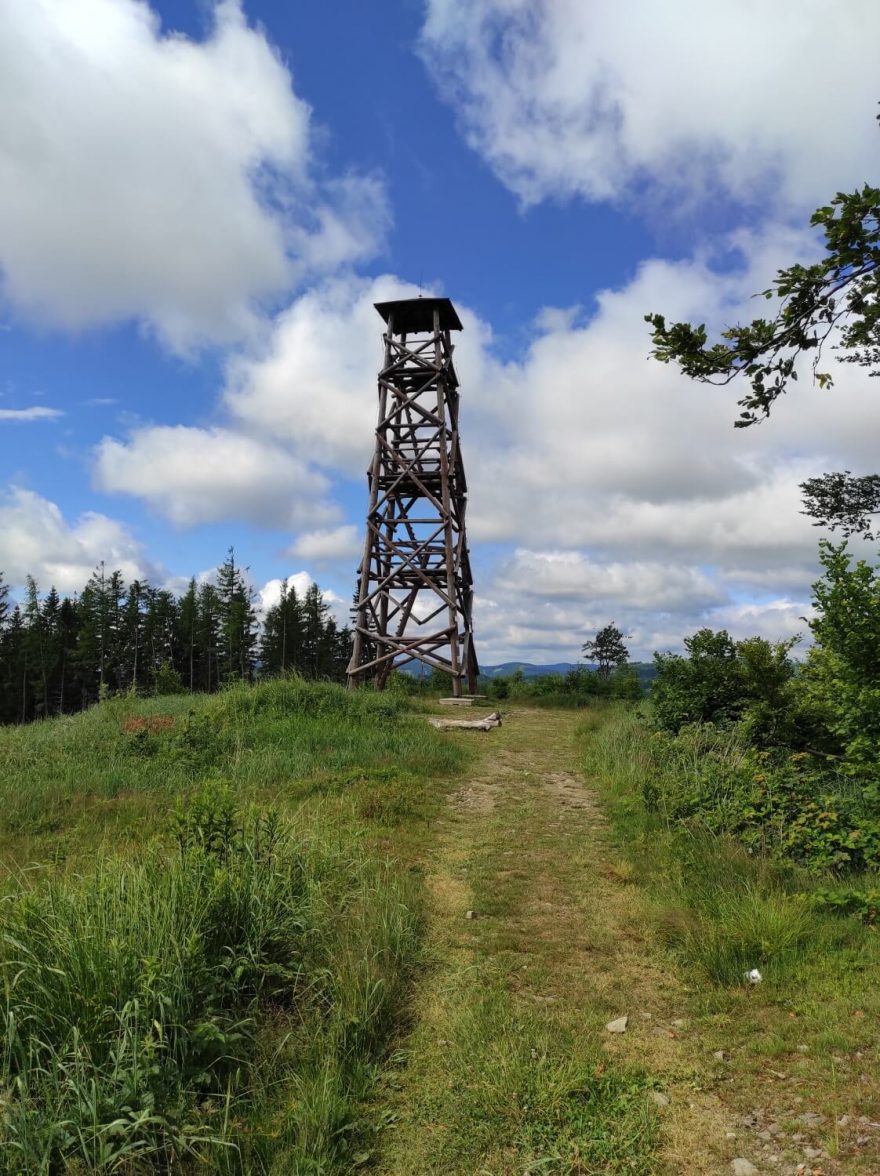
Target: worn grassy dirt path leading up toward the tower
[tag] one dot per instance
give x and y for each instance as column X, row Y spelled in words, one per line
column 536, row 941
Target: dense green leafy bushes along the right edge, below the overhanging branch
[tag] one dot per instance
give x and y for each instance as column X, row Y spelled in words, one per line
column 786, row 761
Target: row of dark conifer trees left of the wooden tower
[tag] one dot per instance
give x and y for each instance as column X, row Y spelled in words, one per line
column 61, row 654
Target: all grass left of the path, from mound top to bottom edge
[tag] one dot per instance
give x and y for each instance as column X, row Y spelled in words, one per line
column 205, row 946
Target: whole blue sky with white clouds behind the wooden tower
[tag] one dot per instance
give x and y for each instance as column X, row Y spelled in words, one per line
column 199, row 204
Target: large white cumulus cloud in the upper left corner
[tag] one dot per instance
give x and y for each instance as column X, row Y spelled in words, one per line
column 145, row 176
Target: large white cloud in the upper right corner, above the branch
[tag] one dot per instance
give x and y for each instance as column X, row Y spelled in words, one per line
column 575, row 98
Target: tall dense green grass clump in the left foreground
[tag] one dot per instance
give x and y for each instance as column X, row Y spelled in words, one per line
column 165, row 1008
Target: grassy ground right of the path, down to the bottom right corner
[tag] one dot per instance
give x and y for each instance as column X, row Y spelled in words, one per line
column 796, row 1043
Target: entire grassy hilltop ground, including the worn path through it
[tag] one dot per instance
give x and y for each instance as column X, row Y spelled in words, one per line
column 289, row 930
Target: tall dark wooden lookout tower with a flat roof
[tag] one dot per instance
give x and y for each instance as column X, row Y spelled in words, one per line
column 415, row 587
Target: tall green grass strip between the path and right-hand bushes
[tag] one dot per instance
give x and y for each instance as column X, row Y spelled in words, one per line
column 722, row 908
